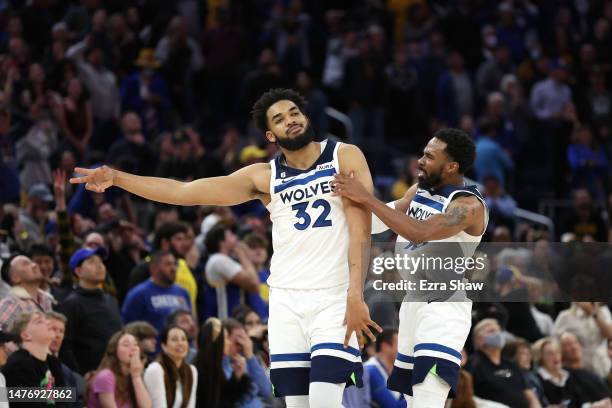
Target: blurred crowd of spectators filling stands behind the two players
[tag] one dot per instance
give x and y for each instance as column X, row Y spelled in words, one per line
column 144, row 303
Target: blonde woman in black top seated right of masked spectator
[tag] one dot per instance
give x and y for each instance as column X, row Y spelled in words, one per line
column 560, row 388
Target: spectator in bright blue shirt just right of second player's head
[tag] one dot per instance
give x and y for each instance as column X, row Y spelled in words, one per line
column 491, row 160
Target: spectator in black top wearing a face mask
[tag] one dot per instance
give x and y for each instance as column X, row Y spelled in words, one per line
column 496, row 378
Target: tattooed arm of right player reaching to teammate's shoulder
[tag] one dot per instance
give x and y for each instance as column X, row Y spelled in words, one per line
column 461, row 214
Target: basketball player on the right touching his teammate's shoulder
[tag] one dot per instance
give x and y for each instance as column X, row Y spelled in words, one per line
column 439, row 208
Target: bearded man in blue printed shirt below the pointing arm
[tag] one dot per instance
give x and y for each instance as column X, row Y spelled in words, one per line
column 155, row 299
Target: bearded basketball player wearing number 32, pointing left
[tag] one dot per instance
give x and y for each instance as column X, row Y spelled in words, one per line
column 316, row 284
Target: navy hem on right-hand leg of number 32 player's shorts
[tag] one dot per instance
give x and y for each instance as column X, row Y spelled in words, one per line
column 336, row 370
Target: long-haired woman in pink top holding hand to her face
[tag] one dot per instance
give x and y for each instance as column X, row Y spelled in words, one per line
column 118, row 381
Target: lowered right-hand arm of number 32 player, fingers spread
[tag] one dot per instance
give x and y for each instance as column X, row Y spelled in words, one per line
column 359, row 220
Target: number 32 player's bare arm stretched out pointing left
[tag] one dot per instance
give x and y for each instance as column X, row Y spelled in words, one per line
column 246, row 184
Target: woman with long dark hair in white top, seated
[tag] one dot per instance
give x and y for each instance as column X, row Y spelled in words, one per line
column 171, row 381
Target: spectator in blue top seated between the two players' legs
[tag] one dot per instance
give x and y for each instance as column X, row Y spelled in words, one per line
column 379, row 367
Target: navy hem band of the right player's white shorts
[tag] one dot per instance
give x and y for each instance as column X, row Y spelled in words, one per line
column 402, row 380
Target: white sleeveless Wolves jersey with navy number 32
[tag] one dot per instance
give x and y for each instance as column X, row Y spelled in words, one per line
column 309, row 231
